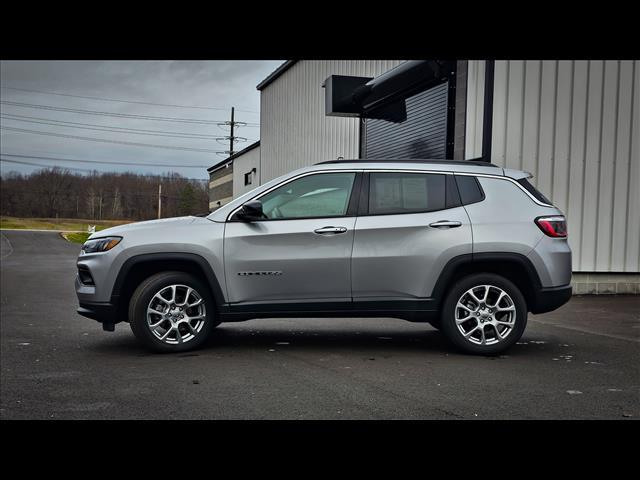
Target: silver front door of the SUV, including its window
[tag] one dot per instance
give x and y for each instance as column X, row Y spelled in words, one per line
column 301, row 251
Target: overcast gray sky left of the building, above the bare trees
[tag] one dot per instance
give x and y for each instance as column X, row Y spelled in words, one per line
column 220, row 84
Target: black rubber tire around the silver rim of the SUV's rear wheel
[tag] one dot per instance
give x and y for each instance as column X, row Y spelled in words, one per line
column 450, row 328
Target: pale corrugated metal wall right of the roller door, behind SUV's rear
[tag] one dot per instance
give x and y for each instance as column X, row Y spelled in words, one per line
column 575, row 126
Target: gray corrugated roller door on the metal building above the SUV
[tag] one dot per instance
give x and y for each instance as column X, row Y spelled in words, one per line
column 422, row 134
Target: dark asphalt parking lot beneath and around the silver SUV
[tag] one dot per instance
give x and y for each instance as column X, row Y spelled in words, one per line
column 579, row 362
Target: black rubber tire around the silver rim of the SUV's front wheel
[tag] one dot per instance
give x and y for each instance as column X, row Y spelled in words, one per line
column 142, row 297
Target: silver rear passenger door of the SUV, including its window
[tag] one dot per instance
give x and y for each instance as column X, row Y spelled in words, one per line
column 411, row 225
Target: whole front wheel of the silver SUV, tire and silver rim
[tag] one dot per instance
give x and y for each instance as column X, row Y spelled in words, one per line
column 182, row 333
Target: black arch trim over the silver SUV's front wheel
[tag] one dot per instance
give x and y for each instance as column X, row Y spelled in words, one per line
column 200, row 261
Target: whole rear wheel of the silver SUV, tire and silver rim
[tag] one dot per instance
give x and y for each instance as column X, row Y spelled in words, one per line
column 500, row 325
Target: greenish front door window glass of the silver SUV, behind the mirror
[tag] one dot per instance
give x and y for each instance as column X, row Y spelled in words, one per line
column 320, row 195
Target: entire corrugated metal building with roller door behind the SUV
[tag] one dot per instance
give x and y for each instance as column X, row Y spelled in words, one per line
column 573, row 124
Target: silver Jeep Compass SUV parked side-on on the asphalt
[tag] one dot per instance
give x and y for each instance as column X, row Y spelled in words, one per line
column 467, row 246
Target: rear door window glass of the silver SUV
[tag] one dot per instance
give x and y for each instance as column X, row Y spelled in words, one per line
column 392, row 193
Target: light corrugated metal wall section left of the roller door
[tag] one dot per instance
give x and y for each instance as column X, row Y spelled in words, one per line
column 294, row 129
